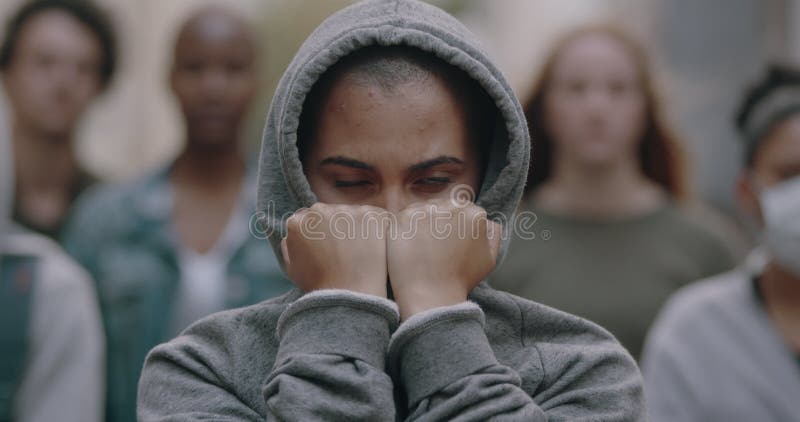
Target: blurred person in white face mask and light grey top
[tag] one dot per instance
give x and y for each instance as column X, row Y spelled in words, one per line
column 728, row 348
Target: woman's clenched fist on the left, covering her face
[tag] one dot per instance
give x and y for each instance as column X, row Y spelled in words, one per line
column 337, row 247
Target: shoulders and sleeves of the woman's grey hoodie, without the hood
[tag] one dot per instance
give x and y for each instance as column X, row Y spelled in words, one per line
column 526, row 362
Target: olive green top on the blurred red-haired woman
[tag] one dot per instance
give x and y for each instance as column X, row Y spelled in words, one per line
column 616, row 273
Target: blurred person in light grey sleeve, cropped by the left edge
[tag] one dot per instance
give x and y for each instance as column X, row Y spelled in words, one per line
column 51, row 338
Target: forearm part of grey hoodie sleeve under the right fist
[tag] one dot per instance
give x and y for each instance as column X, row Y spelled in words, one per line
column 449, row 371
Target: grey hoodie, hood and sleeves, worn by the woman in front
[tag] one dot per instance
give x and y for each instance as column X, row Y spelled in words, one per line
column 338, row 355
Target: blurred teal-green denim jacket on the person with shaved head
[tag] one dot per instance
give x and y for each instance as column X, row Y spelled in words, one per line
column 123, row 236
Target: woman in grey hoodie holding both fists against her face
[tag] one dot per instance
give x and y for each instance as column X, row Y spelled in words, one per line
column 383, row 112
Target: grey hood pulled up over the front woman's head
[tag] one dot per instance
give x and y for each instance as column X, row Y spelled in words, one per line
column 283, row 187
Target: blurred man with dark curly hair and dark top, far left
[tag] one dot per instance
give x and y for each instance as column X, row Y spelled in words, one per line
column 56, row 57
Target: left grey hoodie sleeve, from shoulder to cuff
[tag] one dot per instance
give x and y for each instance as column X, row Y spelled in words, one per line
column 329, row 365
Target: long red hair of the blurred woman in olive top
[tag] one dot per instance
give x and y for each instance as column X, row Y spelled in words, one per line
column 661, row 156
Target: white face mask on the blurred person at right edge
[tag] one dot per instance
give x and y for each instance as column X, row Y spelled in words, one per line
column 780, row 206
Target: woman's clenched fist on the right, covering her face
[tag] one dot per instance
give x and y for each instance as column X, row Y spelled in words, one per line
column 438, row 252
